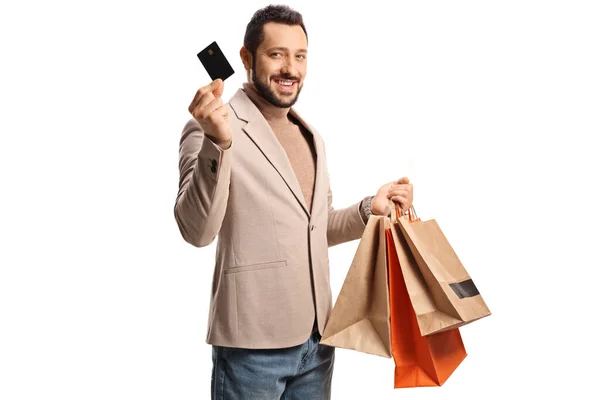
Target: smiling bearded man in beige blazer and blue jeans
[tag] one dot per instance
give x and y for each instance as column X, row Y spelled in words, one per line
column 254, row 173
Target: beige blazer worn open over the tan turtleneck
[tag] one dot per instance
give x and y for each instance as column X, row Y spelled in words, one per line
column 269, row 243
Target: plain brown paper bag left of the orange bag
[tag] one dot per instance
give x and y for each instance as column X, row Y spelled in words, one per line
column 360, row 319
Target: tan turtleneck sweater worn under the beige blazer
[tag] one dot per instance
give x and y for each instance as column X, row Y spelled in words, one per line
column 295, row 139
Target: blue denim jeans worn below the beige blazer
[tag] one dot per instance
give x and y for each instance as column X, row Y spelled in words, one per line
column 295, row 373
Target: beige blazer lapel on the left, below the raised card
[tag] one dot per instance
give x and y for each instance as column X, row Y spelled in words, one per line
column 259, row 131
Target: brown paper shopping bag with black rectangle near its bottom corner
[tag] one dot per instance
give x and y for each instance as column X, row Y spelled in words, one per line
column 442, row 293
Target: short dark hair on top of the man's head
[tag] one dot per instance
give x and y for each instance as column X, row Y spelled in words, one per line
column 272, row 13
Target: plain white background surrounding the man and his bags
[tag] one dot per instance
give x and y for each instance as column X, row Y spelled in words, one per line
column 491, row 108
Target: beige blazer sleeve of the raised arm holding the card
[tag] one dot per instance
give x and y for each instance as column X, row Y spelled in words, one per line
column 204, row 179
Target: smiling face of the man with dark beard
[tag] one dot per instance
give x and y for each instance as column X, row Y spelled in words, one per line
column 279, row 66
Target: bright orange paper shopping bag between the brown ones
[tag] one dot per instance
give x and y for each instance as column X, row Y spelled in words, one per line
column 420, row 360
